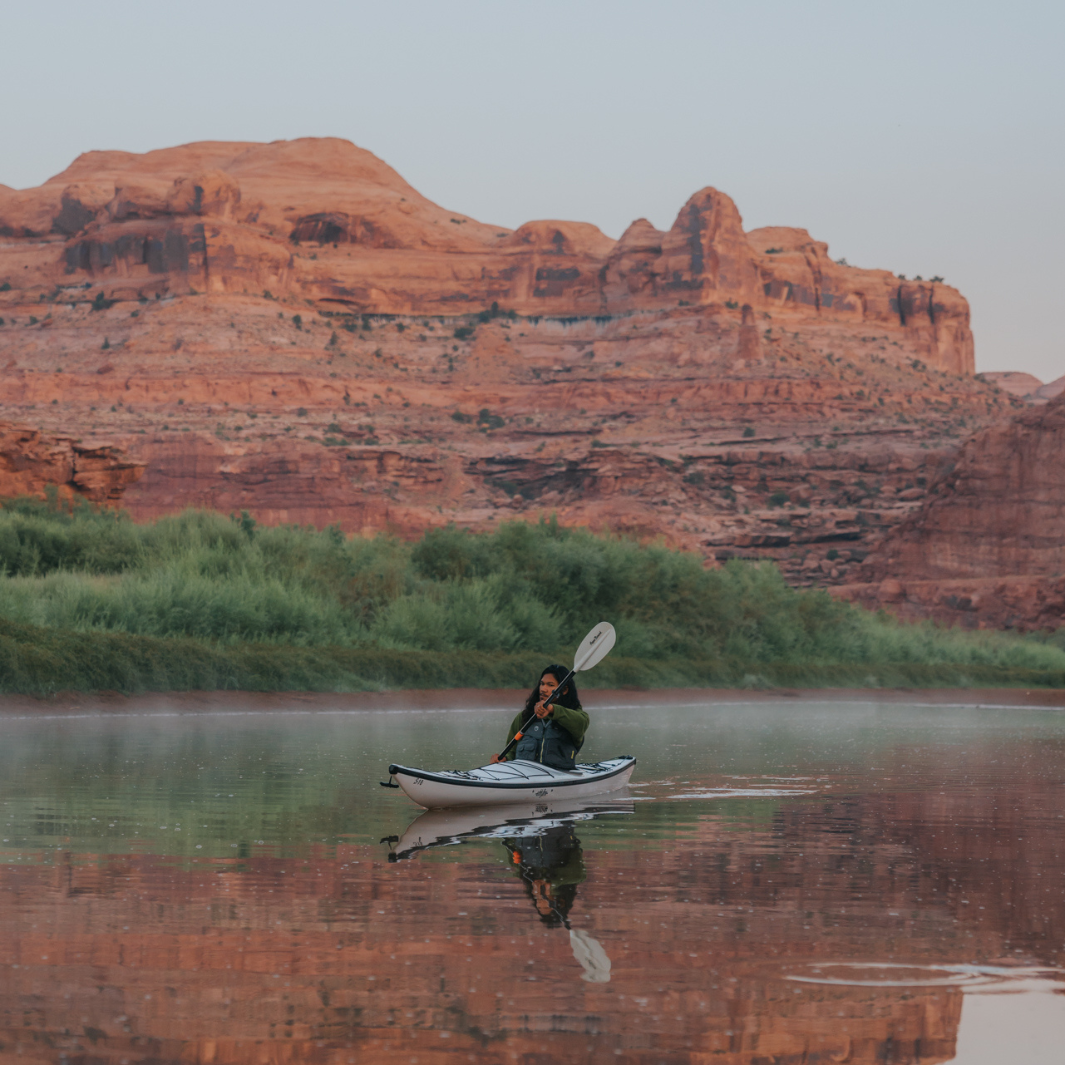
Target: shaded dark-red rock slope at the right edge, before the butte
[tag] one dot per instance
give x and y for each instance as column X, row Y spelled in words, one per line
column 988, row 546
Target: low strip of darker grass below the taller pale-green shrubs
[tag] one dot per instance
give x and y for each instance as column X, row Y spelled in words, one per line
column 46, row 662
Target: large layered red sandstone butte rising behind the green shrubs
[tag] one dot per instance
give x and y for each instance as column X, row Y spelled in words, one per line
column 292, row 330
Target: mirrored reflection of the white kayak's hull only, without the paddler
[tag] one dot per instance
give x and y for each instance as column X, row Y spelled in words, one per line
column 449, row 828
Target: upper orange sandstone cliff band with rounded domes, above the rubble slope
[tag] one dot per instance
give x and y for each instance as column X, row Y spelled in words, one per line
column 313, row 219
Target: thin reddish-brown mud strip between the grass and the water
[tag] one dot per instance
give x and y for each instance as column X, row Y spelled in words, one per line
column 74, row 703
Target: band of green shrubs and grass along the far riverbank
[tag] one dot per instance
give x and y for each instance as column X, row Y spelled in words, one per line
column 89, row 600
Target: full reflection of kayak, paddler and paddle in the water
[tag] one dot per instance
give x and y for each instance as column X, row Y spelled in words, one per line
column 544, row 850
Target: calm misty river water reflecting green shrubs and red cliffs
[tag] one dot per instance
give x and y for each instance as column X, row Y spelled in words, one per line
column 784, row 883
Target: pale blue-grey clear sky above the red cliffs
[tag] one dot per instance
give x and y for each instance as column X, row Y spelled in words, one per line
column 923, row 138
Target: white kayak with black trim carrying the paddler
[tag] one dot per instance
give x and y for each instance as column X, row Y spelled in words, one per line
column 511, row 782
